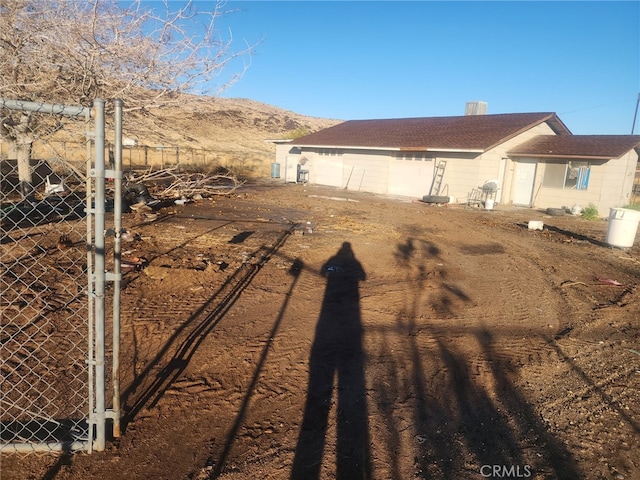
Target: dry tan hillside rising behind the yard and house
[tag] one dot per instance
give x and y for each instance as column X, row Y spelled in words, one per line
column 192, row 130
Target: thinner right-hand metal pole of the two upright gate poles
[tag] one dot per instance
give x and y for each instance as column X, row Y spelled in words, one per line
column 117, row 225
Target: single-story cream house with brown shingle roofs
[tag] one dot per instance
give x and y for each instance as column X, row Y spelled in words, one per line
column 532, row 158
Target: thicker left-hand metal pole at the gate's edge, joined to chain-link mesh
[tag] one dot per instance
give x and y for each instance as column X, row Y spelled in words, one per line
column 99, row 273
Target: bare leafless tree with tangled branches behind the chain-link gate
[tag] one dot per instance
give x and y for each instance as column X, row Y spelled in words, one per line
column 73, row 51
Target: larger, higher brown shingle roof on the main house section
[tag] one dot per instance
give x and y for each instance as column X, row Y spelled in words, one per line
column 475, row 132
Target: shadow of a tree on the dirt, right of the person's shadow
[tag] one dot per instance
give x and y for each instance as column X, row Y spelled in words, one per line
column 464, row 419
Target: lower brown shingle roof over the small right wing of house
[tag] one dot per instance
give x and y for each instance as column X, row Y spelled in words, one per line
column 583, row 146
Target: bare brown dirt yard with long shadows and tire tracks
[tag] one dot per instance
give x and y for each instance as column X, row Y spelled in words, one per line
column 305, row 332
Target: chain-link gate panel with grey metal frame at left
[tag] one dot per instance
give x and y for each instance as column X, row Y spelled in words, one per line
column 53, row 345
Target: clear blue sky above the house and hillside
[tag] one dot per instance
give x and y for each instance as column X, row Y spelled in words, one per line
column 392, row 59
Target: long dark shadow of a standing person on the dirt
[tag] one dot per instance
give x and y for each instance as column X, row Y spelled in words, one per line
column 337, row 354
